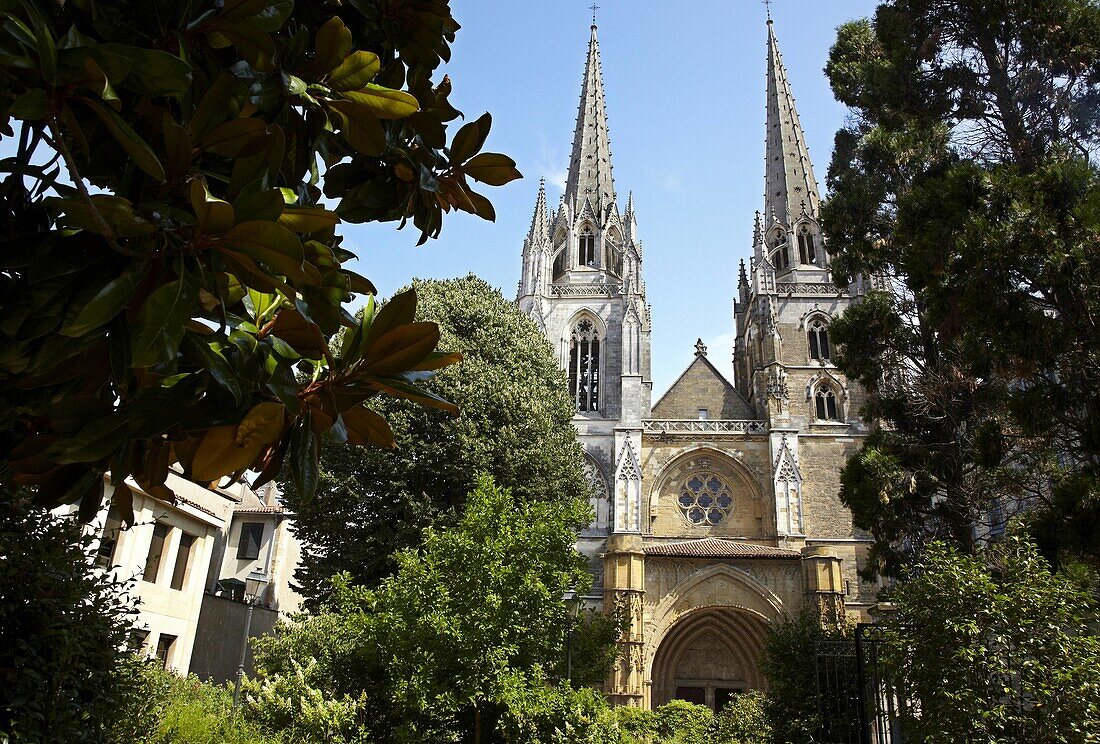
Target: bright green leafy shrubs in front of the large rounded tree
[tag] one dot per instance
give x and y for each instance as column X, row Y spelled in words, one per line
column 465, row 629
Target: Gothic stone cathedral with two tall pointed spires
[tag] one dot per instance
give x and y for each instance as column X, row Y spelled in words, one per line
column 717, row 506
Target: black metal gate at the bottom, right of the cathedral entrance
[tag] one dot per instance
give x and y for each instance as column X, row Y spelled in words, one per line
column 857, row 699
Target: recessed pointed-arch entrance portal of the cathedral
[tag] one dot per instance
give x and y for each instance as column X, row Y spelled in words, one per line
column 709, row 657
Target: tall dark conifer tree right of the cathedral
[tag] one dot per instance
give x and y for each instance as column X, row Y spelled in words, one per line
column 965, row 184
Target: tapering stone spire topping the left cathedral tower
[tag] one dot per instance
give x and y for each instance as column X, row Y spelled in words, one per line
column 590, row 167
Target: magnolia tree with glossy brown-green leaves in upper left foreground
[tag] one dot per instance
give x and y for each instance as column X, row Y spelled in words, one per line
column 170, row 280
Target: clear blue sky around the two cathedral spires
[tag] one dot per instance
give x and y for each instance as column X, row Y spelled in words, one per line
column 686, row 102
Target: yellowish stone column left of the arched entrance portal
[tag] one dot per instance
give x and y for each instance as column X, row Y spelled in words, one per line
column 624, row 589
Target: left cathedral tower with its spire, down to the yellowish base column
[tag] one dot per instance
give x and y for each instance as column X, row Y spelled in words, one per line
column 582, row 283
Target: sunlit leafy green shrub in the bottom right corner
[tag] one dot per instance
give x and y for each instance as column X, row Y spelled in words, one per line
column 996, row 649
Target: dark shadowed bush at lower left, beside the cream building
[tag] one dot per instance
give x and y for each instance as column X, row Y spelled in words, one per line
column 62, row 631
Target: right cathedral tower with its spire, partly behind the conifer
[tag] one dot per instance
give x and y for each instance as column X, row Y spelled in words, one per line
column 784, row 355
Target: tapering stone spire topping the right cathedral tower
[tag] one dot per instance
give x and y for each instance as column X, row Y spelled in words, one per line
column 789, row 177
